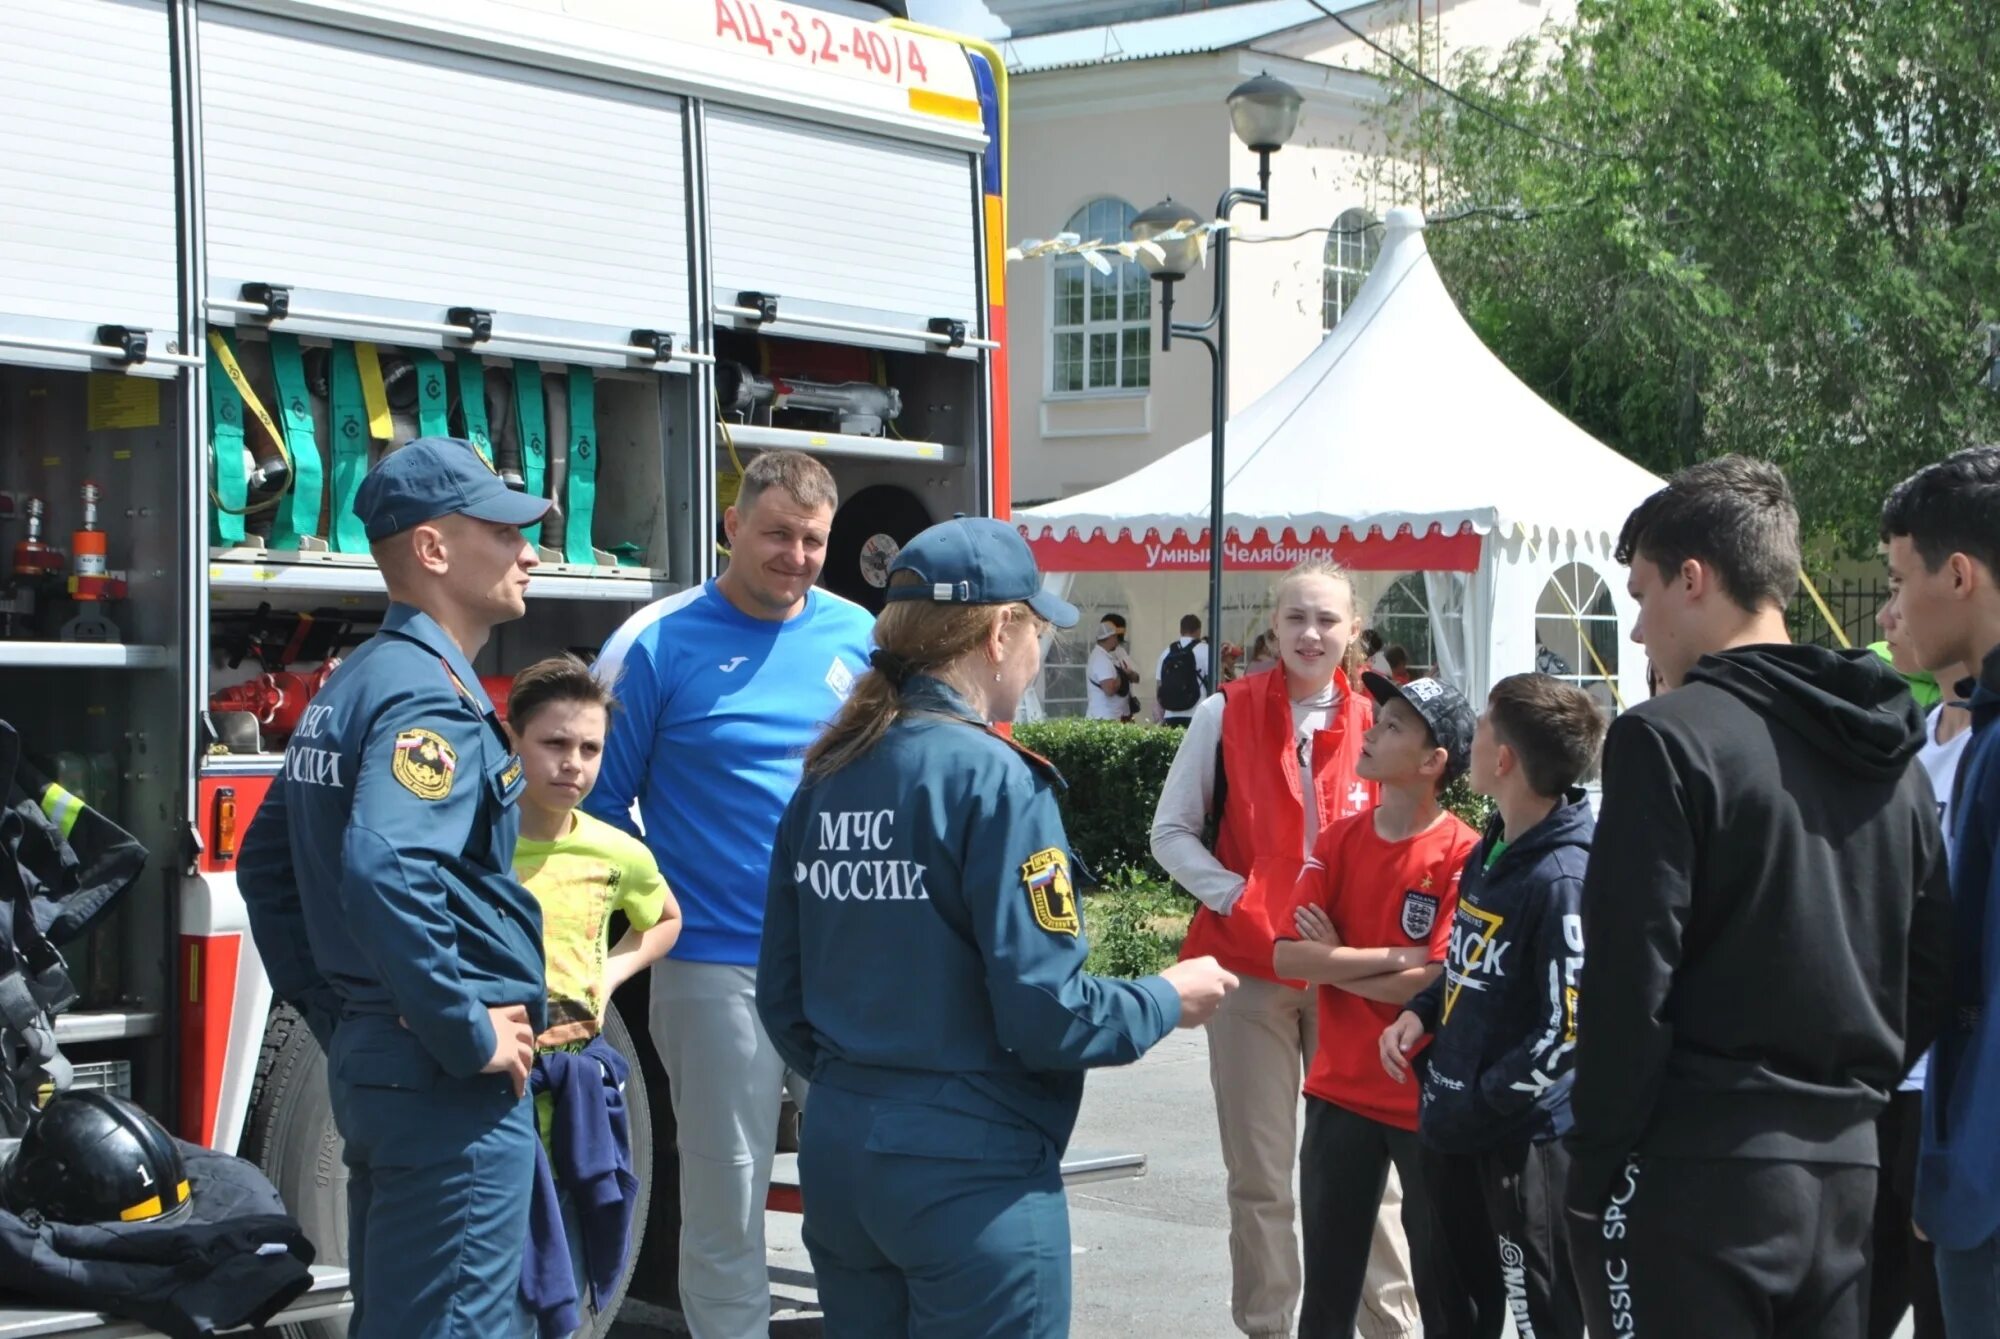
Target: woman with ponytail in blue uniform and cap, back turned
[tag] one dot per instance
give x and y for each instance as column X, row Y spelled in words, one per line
column 923, row 962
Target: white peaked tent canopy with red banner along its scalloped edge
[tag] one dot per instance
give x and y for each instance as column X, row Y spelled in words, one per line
column 1397, row 445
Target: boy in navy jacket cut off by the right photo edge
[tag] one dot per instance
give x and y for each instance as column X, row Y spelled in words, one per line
column 1943, row 537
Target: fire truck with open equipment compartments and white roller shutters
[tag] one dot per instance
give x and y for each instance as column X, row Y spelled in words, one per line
column 251, row 247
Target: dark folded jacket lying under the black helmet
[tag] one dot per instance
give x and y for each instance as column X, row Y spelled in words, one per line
column 237, row 1258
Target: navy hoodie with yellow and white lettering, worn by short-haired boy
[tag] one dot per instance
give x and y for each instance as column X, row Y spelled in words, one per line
column 1505, row 1010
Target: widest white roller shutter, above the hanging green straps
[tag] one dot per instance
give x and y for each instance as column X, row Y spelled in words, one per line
column 393, row 173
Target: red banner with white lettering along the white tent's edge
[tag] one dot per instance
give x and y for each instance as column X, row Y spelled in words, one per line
column 1261, row 553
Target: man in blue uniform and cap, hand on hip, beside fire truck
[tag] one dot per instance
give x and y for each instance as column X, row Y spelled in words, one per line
column 381, row 892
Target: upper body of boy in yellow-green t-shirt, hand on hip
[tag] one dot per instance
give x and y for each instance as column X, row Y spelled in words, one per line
column 581, row 870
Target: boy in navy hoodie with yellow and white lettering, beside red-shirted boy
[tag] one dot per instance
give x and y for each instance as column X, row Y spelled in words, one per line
column 1497, row 1074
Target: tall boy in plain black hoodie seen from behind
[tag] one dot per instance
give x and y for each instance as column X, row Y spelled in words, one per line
column 1767, row 918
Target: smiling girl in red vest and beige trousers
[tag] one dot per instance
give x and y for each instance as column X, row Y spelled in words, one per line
column 1285, row 746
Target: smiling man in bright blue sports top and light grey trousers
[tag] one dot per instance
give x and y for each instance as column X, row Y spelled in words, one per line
column 721, row 688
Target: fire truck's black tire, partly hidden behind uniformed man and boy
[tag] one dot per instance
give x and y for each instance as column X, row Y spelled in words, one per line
column 291, row 1136
